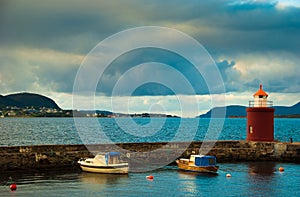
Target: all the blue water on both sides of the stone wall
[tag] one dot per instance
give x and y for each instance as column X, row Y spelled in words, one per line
column 247, row 178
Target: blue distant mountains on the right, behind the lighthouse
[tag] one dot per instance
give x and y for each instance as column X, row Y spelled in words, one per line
column 240, row 111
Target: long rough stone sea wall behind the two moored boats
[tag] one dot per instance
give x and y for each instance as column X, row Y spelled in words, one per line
column 66, row 156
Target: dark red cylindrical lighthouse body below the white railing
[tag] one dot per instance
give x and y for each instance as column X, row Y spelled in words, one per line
column 260, row 124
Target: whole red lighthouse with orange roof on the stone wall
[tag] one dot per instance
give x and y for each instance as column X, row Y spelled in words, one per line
column 260, row 118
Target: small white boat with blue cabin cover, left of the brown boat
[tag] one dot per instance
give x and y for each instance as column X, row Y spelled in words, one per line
column 109, row 162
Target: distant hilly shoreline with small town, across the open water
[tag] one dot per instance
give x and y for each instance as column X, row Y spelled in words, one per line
column 30, row 105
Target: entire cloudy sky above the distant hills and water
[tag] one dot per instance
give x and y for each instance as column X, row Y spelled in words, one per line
column 43, row 45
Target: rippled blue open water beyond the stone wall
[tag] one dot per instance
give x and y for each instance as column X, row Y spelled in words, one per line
column 37, row 131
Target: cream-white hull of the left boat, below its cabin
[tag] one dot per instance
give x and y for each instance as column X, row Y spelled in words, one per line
column 116, row 169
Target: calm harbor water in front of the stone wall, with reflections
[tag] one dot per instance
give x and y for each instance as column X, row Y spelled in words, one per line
column 247, row 179
